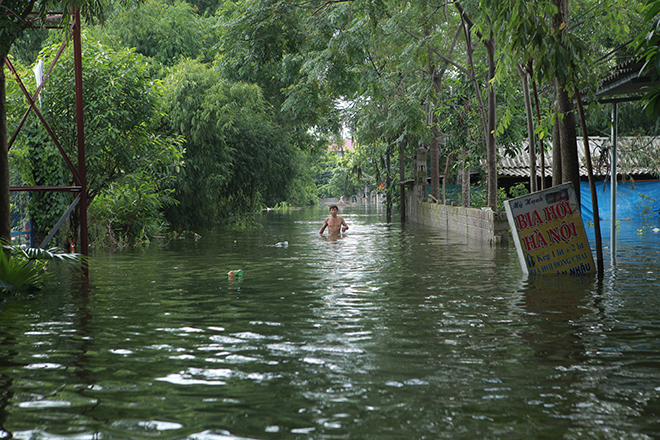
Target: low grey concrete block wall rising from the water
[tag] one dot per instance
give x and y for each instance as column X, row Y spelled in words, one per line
column 492, row 227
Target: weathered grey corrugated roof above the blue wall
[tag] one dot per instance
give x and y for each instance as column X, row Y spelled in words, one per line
column 518, row 166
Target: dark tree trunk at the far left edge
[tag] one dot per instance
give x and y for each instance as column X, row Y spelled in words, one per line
column 5, row 217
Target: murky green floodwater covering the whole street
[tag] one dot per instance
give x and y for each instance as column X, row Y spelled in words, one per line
column 389, row 332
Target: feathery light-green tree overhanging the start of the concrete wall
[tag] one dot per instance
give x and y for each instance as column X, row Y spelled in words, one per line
column 382, row 58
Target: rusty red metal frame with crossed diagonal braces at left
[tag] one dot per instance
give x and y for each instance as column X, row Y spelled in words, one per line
column 80, row 173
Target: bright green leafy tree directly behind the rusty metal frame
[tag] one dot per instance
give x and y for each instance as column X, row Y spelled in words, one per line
column 120, row 106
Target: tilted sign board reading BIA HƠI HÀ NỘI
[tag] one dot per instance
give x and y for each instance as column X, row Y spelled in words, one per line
column 549, row 234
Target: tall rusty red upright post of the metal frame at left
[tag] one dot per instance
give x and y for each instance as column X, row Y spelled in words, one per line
column 82, row 169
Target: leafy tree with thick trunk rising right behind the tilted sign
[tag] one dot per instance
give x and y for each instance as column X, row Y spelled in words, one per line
column 563, row 48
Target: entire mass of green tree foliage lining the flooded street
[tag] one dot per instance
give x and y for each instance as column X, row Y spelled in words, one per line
column 284, row 74
